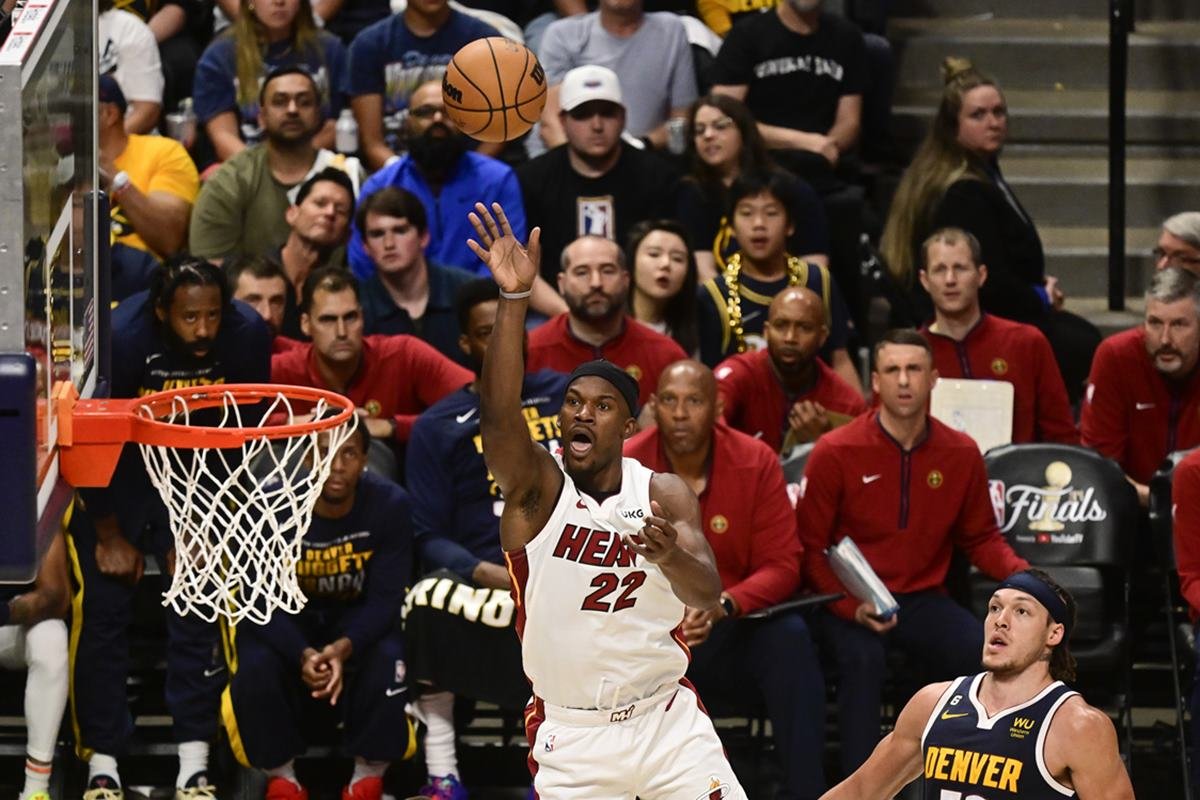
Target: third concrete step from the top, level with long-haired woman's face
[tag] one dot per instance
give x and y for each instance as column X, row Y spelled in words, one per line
column 1076, row 117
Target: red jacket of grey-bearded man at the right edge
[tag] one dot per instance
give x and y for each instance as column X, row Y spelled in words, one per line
column 1132, row 413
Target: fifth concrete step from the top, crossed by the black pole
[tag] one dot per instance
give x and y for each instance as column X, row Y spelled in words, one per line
column 1079, row 257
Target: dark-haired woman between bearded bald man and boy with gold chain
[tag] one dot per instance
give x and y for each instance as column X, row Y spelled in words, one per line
column 664, row 292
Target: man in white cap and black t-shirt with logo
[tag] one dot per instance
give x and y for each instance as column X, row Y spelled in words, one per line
column 598, row 183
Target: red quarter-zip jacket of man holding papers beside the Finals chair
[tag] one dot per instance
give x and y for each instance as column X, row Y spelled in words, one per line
column 904, row 510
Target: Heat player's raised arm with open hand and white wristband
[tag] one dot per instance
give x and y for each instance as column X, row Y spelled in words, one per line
column 525, row 472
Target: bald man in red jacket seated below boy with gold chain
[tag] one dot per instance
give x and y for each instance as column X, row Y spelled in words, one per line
column 785, row 395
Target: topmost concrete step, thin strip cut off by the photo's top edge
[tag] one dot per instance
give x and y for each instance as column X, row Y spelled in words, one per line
column 1043, row 9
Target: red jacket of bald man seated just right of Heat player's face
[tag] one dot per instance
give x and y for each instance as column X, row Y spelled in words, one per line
column 747, row 516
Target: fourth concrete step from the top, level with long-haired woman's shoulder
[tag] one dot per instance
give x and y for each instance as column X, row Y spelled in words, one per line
column 1073, row 193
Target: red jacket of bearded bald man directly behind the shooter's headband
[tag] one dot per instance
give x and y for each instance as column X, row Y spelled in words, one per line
column 639, row 351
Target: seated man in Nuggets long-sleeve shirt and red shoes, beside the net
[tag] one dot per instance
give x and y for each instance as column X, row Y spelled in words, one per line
column 344, row 649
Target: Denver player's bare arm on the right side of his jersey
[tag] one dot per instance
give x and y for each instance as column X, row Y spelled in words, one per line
column 1083, row 744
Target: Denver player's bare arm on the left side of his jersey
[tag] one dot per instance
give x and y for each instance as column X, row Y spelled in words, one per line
column 897, row 760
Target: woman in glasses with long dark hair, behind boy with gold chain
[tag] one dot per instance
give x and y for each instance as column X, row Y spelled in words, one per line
column 724, row 143
